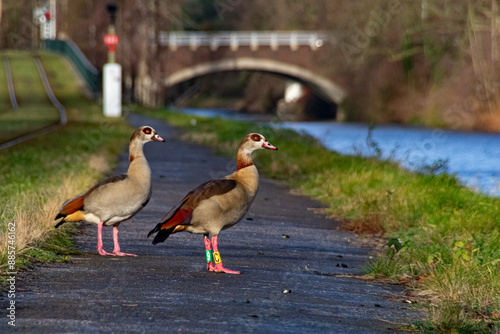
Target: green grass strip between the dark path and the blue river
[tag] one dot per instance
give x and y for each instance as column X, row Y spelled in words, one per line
column 444, row 239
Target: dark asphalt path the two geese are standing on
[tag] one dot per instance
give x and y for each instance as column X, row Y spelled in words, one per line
column 298, row 270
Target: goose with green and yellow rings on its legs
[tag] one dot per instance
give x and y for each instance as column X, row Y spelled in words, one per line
column 217, row 204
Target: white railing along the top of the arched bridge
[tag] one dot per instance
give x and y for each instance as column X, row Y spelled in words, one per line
column 234, row 39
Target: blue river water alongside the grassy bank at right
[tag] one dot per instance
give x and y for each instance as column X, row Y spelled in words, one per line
column 473, row 157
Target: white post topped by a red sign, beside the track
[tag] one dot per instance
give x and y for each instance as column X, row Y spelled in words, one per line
column 112, row 72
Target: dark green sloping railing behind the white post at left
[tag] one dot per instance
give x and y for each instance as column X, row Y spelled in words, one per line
column 69, row 49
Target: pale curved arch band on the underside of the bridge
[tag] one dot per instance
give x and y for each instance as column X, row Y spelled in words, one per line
column 323, row 87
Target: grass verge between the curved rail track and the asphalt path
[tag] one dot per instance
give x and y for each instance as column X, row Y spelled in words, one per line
column 36, row 177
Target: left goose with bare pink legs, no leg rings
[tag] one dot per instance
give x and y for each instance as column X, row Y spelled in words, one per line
column 116, row 198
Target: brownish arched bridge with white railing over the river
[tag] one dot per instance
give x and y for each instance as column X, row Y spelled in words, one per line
column 293, row 54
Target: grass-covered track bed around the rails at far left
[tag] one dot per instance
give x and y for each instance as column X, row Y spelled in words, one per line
column 35, row 110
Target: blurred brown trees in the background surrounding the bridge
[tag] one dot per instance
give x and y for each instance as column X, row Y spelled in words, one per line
column 431, row 62
